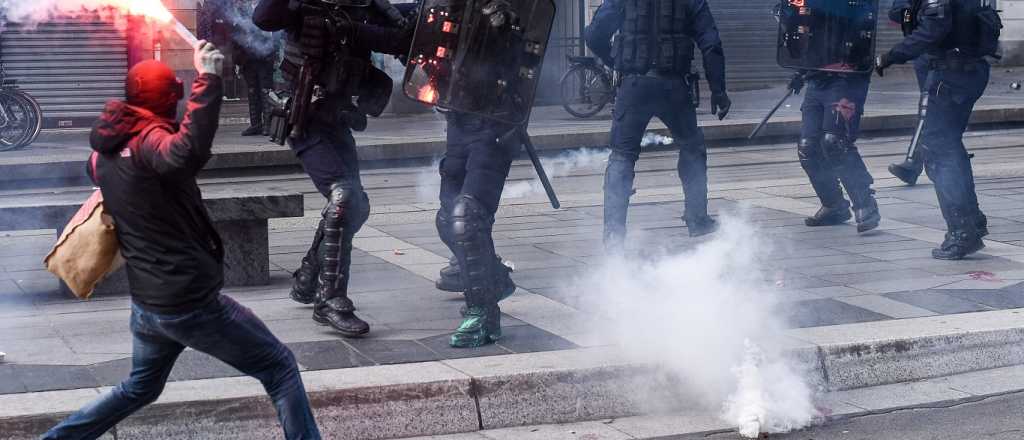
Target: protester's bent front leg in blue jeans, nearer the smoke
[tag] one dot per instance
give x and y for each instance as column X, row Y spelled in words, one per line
column 233, row 334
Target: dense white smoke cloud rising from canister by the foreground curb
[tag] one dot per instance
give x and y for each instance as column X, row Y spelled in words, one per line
column 708, row 318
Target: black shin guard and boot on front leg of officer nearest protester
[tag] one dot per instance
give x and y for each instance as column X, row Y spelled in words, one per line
column 347, row 211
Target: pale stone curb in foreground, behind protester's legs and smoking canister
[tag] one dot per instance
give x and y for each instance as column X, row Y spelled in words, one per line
column 467, row 395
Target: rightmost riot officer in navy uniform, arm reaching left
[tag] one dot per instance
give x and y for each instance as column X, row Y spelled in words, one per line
column 957, row 35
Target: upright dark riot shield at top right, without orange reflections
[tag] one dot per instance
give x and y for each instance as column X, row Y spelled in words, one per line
column 828, row 35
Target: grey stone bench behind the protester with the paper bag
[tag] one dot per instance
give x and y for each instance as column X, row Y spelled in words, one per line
column 241, row 221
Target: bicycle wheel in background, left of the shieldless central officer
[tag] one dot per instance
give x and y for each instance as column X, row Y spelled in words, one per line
column 587, row 87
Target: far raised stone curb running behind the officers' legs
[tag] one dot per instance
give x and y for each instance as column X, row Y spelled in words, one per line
column 267, row 155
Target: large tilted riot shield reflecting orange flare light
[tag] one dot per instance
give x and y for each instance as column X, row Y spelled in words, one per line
column 480, row 57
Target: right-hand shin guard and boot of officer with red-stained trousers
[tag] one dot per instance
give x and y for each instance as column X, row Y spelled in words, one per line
column 850, row 168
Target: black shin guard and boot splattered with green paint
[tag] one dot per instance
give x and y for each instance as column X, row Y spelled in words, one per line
column 475, row 248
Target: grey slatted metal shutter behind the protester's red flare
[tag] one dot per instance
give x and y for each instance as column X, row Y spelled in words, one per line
column 72, row 67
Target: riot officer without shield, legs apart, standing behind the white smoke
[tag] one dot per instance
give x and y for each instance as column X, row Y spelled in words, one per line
column 654, row 51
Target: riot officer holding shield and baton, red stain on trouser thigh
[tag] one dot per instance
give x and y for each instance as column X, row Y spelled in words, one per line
column 836, row 58
